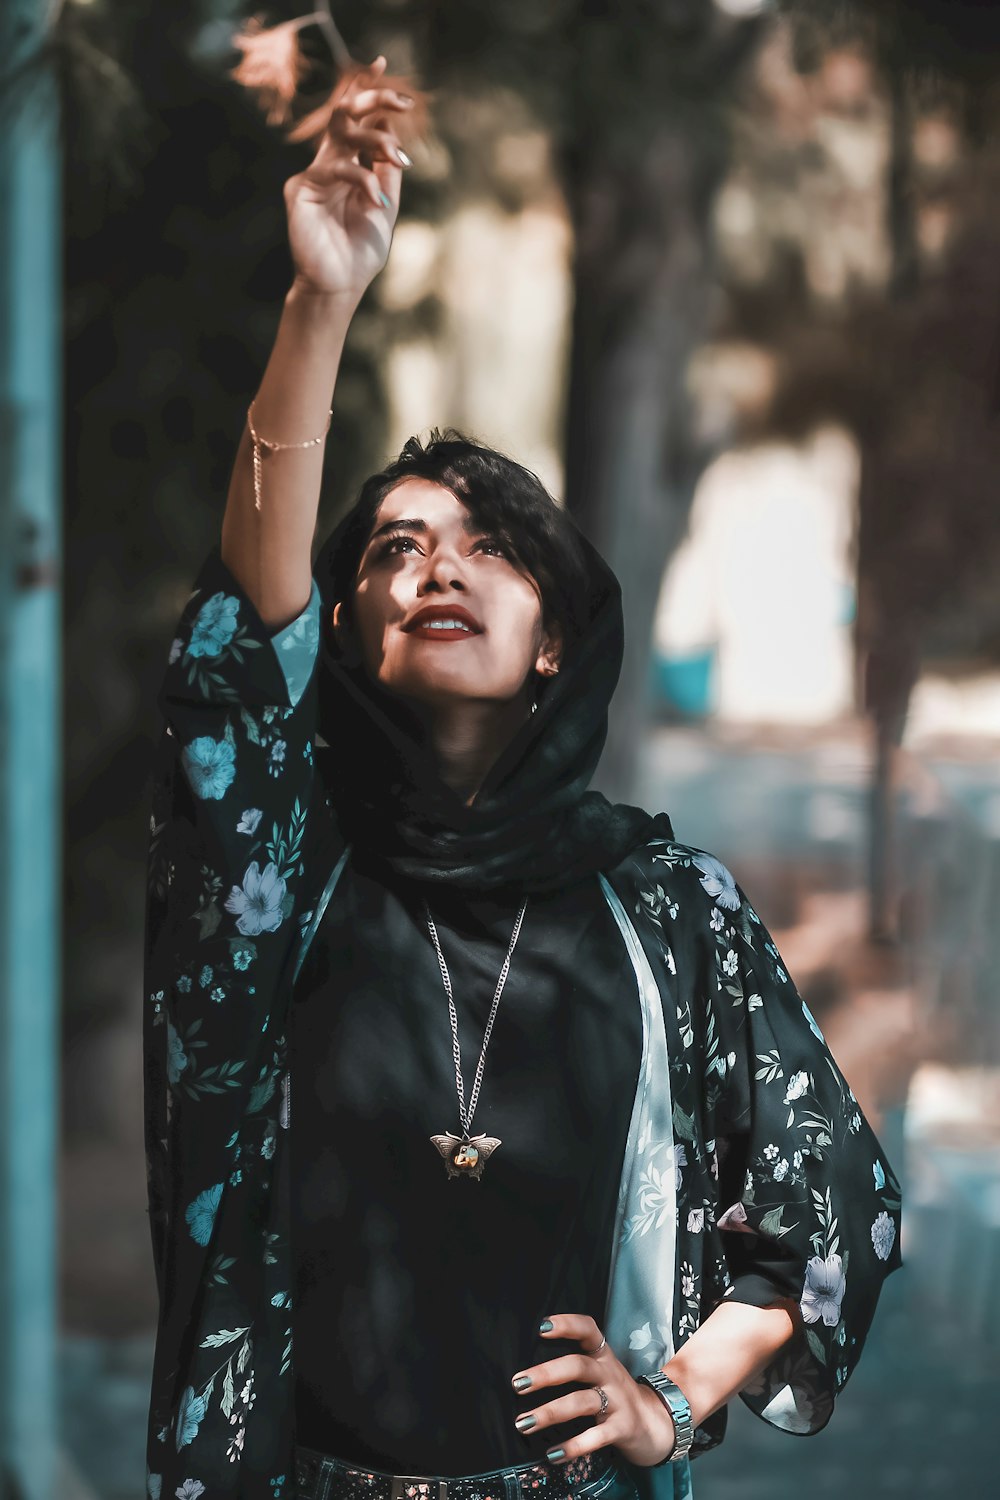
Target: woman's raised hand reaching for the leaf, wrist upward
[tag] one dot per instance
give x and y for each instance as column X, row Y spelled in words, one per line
column 343, row 208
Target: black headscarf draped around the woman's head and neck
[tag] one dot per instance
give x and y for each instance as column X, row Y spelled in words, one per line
column 533, row 826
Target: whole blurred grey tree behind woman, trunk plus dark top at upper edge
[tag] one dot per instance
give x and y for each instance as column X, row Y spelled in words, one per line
column 635, row 97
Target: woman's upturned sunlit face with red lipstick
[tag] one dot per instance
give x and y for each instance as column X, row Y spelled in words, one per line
column 440, row 611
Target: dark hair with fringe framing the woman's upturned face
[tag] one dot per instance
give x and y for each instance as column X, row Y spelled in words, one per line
column 501, row 496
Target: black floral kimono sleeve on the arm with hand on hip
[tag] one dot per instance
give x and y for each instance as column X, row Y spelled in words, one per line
column 807, row 1198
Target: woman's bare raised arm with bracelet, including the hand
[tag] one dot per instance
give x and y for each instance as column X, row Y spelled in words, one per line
column 341, row 215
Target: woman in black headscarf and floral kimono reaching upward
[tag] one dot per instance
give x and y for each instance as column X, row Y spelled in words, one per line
column 374, row 859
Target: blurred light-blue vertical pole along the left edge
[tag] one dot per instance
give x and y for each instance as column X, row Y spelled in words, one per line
column 31, row 773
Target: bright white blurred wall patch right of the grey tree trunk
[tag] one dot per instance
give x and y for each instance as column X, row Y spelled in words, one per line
column 765, row 581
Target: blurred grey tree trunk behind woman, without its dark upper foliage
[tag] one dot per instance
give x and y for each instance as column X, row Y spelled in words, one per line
column 642, row 289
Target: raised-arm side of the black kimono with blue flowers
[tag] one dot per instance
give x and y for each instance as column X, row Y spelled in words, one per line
column 233, row 806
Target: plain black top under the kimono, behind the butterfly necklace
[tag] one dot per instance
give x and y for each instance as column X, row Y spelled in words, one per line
column 418, row 1297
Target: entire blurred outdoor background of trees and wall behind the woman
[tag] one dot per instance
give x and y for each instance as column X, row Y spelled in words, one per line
column 726, row 274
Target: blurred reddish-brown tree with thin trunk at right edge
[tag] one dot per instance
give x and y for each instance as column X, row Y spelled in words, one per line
column 924, row 362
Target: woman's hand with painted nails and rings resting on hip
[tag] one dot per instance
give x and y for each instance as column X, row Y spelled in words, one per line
column 638, row 1423
